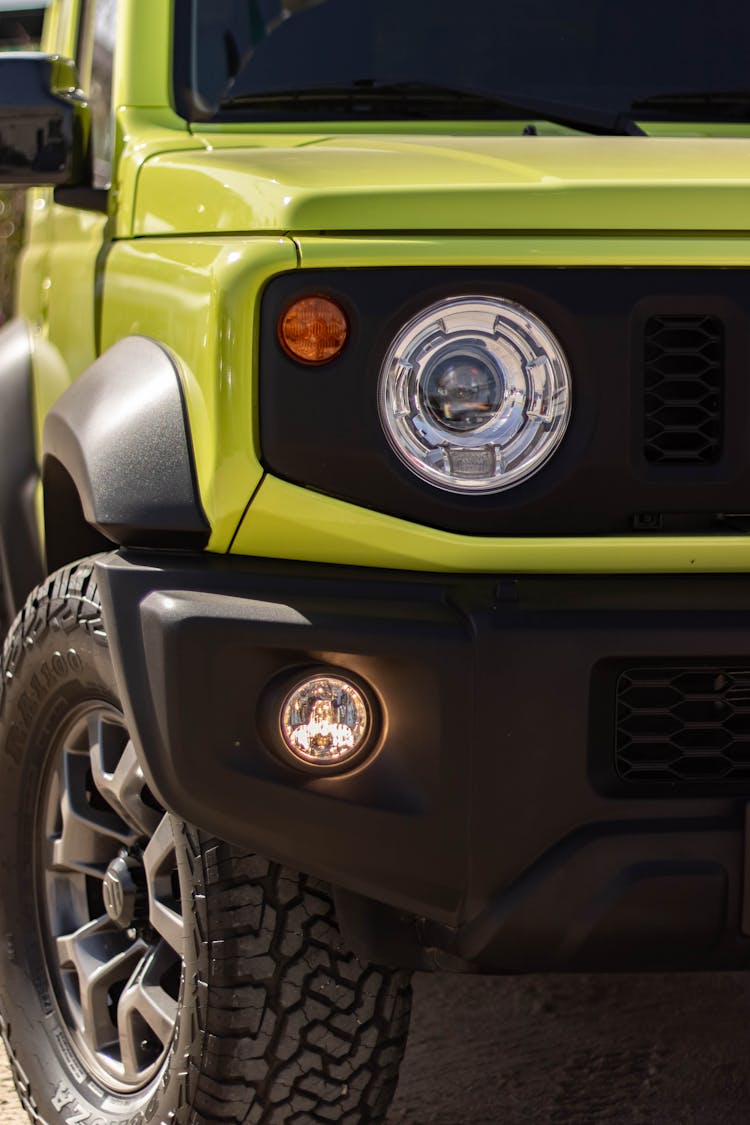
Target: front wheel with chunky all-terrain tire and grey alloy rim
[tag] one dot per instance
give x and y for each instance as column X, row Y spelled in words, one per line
column 151, row 974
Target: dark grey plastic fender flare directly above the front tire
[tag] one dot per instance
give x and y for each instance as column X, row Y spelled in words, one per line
column 120, row 442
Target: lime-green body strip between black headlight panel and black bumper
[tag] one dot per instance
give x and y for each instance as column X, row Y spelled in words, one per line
column 290, row 523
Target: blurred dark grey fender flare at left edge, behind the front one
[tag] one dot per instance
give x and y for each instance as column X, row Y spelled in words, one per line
column 21, row 553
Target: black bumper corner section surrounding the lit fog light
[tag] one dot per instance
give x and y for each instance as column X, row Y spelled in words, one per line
column 196, row 649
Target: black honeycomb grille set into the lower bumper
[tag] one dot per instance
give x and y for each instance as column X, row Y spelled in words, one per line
column 684, row 725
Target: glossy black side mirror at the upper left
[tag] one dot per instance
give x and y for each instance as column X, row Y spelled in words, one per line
column 46, row 122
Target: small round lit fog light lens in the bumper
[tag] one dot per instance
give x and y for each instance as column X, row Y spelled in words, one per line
column 326, row 721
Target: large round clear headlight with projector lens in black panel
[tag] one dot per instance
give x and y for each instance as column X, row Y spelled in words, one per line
column 475, row 394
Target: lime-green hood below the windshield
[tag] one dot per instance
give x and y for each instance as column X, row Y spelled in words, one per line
column 444, row 184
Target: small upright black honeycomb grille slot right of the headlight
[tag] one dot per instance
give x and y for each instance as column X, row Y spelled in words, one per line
column 684, row 358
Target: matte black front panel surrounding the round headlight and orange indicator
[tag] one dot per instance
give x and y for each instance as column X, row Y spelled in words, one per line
column 321, row 428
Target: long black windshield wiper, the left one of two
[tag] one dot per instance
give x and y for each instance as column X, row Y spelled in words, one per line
column 412, row 97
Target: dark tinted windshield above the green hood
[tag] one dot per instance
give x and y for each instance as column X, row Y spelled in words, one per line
column 327, row 60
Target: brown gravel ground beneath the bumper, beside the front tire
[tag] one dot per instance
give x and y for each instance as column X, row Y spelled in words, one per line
column 567, row 1051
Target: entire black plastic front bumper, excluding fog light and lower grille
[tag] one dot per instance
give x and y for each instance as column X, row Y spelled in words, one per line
column 492, row 824
